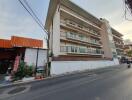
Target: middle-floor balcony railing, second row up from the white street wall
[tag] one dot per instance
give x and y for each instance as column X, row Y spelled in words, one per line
column 82, row 38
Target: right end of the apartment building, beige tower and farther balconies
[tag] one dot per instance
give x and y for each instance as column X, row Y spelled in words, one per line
column 112, row 40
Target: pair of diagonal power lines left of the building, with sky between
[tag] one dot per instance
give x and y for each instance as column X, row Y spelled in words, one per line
column 33, row 15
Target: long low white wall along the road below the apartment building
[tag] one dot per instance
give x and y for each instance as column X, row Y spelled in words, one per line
column 61, row 67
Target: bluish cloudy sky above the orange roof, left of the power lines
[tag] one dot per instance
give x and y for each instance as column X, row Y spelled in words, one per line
column 15, row 21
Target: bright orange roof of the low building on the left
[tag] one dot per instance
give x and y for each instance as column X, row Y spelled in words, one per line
column 21, row 42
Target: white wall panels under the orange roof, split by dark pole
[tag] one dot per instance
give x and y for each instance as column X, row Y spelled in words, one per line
column 31, row 55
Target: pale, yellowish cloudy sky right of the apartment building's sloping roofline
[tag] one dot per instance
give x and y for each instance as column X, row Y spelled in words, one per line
column 112, row 10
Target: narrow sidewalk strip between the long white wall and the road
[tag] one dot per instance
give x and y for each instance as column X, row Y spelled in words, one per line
column 18, row 83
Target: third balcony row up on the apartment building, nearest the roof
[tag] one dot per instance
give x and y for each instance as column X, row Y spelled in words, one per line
column 79, row 27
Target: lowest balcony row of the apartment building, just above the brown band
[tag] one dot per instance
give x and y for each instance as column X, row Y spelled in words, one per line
column 81, row 50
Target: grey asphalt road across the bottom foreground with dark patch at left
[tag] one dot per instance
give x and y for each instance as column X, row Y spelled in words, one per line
column 111, row 84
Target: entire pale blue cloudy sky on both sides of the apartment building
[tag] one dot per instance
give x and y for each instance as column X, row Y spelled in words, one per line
column 14, row 20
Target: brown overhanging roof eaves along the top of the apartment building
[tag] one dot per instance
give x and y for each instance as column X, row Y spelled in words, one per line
column 53, row 6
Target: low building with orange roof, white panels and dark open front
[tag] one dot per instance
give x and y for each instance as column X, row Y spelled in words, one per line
column 26, row 48
